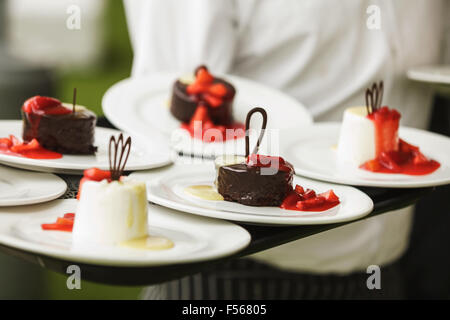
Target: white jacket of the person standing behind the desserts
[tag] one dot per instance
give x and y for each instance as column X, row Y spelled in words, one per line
column 319, row 51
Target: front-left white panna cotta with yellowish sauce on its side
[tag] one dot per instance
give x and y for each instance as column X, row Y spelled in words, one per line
column 110, row 213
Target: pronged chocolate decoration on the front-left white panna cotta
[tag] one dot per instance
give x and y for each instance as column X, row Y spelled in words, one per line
column 117, row 150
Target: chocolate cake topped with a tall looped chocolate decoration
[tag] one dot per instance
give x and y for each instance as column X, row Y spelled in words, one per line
column 258, row 180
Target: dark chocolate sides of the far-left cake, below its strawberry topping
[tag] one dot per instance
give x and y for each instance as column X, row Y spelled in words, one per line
column 71, row 133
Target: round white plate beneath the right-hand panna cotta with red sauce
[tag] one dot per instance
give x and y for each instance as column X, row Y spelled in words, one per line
column 313, row 155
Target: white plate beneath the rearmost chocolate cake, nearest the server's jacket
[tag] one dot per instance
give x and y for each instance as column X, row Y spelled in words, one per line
column 147, row 112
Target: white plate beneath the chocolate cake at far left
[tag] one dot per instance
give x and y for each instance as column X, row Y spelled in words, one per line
column 143, row 155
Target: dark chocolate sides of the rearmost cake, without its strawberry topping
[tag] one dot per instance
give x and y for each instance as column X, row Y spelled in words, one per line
column 183, row 105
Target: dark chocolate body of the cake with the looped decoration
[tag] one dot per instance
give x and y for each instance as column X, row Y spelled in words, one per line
column 246, row 185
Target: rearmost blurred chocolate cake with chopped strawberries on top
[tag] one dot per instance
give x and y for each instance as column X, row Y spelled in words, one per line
column 215, row 93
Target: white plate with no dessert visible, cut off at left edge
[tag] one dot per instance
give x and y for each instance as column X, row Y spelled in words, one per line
column 19, row 187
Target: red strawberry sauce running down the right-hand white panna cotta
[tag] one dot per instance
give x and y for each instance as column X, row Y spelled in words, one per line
column 394, row 155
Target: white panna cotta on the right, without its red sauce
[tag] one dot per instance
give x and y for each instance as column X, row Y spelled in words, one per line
column 357, row 137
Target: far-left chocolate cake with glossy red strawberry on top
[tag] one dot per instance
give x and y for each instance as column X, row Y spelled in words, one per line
column 59, row 127
